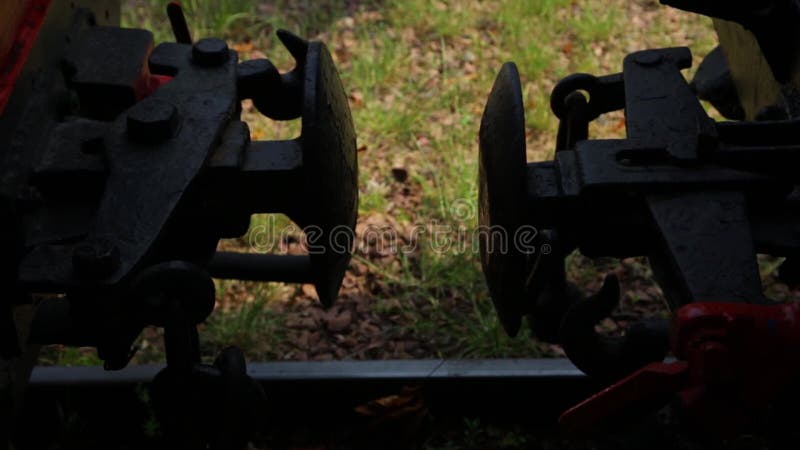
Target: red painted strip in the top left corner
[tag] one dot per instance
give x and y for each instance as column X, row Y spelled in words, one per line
column 12, row 63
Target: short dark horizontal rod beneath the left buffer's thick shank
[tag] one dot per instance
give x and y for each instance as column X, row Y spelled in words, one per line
column 261, row 267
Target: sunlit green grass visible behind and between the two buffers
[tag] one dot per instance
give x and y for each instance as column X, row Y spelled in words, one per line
column 418, row 73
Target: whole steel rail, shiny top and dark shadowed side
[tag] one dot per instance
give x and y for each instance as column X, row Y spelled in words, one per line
column 537, row 389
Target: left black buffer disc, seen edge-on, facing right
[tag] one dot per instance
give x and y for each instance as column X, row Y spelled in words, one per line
column 331, row 172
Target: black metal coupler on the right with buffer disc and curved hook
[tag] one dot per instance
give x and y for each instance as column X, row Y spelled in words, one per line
column 698, row 198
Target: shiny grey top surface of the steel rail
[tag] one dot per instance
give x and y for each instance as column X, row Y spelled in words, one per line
column 285, row 371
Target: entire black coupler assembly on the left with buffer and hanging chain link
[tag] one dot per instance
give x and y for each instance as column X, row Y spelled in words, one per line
column 126, row 164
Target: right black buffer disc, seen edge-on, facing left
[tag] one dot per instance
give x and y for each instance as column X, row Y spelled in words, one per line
column 501, row 197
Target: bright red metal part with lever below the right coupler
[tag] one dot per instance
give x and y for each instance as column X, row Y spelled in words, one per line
column 733, row 359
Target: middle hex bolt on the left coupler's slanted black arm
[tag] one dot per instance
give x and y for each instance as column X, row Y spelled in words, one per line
column 152, row 120
